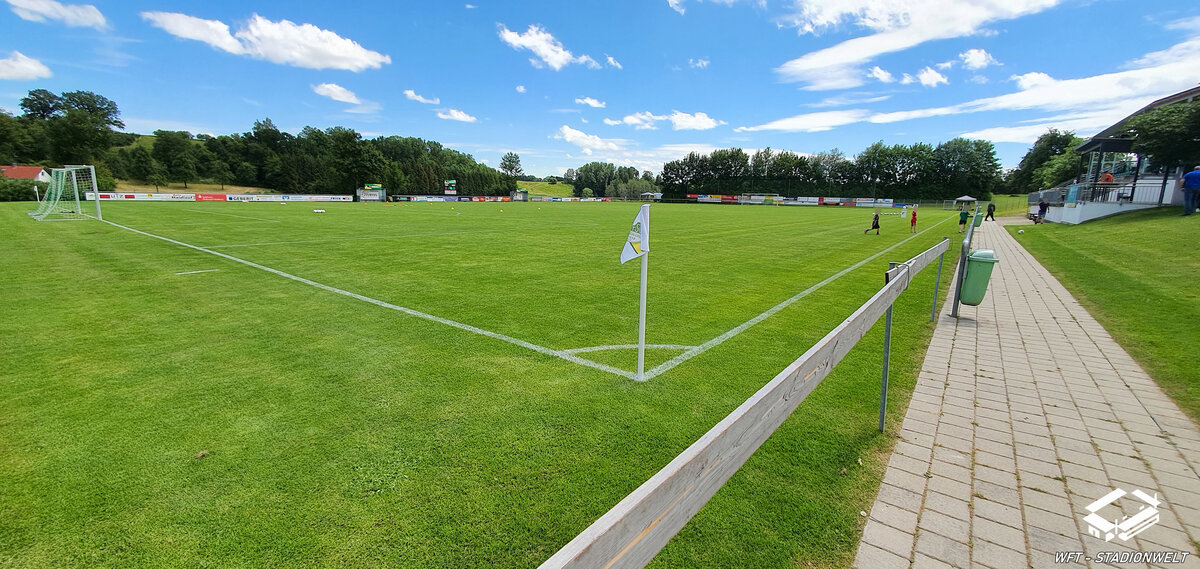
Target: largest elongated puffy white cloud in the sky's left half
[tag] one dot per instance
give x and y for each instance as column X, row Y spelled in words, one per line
column 279, row 43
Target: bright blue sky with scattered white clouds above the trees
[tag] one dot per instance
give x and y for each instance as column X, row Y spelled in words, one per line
column 631, row 82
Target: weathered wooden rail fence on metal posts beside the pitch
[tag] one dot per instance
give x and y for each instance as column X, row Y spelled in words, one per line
column 634, row 531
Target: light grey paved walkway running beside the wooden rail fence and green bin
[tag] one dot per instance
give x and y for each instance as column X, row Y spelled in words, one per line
column 1025, row 412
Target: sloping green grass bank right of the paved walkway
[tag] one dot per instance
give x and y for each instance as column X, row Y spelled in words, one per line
column 1137, row 274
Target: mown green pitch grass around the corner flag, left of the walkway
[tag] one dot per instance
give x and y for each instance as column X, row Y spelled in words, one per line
column 241, row 420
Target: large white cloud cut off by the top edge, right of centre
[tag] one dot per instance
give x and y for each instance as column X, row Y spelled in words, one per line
column 897, row 26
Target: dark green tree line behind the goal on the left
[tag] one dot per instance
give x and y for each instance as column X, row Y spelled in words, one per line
column 81, row 128
